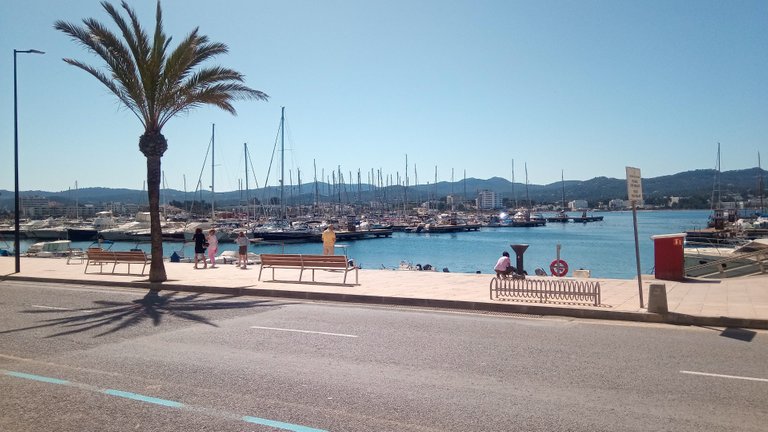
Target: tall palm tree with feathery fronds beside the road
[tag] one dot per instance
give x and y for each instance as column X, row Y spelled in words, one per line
column 156, row 83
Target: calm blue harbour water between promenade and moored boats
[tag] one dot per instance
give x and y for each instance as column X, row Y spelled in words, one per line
column 605, row 248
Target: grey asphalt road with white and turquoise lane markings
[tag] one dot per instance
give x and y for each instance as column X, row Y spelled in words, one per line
column 76, row 358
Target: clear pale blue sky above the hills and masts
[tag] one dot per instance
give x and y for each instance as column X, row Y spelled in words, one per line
column 587, row 87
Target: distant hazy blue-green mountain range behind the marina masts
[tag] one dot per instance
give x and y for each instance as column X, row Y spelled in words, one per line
column 699, row 184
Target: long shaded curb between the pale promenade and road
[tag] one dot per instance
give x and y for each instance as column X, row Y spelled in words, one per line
column 529, row 309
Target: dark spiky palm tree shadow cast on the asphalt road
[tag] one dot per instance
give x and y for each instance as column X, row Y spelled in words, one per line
column 115, row 316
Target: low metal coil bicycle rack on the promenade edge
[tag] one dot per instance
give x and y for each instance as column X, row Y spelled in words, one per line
column 545, row 289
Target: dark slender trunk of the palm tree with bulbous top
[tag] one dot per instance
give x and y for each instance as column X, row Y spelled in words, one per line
column 153, row 145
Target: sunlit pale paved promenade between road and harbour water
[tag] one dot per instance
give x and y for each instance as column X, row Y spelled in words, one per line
column 741, row 302
